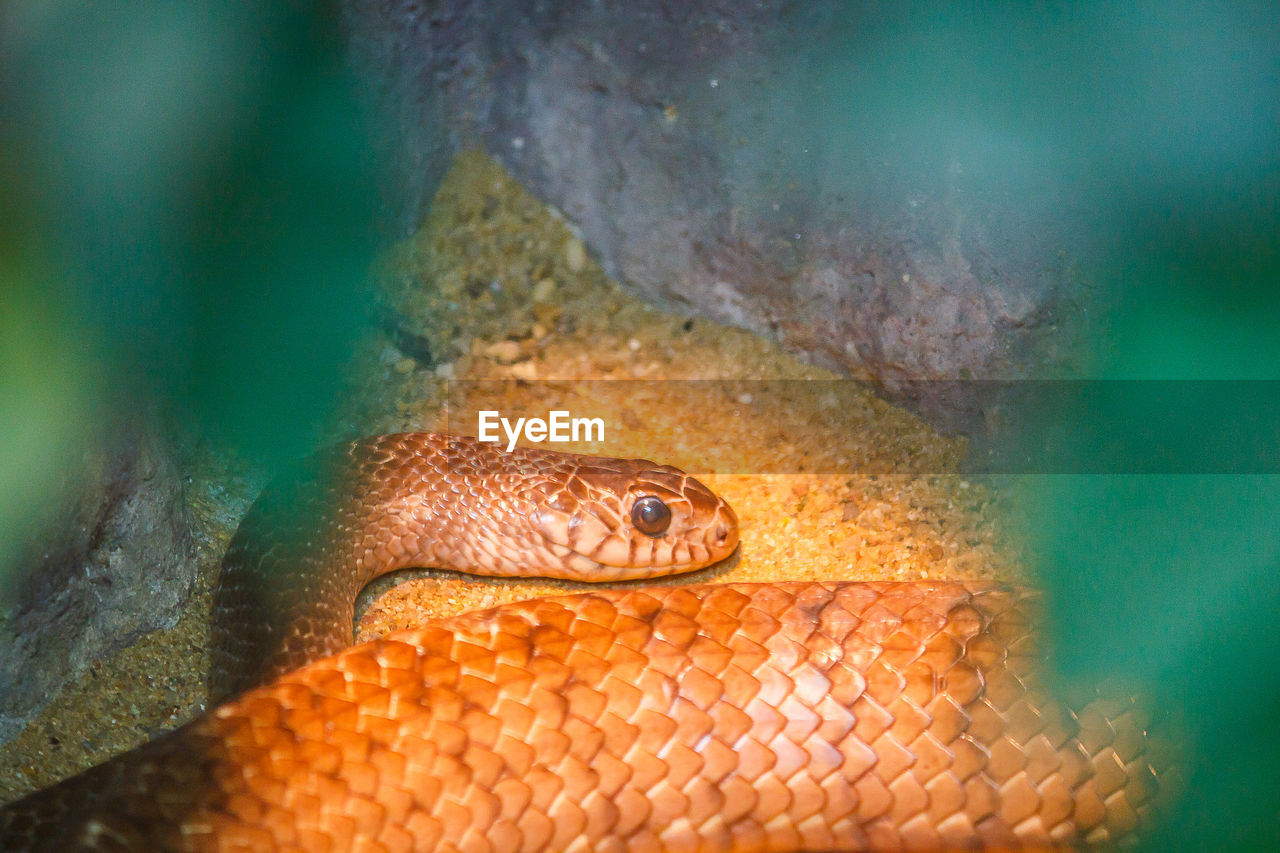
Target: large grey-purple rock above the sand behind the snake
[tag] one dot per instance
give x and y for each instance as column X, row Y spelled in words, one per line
column 751, row 163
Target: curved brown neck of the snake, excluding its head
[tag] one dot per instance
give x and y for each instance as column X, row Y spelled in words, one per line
column 308, row 548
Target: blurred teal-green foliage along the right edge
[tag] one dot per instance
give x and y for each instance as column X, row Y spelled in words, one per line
column 1141, row 142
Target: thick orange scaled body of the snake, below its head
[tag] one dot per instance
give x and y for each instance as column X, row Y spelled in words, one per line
column 716, row 718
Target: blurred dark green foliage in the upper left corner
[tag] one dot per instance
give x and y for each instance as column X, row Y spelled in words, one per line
column 188, row 226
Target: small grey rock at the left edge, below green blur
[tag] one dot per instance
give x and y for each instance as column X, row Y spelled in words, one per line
column 118, row 563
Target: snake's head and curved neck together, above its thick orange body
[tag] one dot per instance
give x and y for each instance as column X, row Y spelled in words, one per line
column 316, row 539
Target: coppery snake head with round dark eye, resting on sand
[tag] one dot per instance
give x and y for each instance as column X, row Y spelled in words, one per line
column 627, row 519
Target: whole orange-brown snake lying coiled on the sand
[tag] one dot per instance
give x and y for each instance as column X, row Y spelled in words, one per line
column 716, row 717
